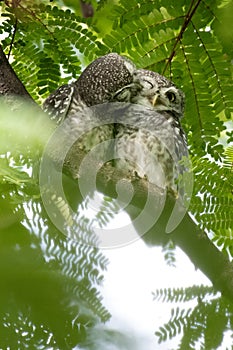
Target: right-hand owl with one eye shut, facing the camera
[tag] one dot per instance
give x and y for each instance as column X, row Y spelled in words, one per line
column 150, row 141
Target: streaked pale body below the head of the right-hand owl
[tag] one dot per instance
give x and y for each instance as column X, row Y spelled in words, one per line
column 148, row 146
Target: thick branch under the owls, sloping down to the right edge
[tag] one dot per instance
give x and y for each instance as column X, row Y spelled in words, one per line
column 193, row 241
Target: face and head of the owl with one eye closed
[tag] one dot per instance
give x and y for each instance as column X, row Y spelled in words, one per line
column 155, row 91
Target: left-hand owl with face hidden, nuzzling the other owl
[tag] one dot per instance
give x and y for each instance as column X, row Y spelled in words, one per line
column 98, row 83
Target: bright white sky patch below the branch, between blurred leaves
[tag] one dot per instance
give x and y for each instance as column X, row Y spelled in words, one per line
column 133, row 273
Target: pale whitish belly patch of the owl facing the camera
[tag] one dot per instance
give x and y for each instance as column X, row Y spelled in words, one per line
column 145, row 156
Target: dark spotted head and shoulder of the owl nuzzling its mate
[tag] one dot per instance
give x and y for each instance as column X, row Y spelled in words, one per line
column 98, row 83
